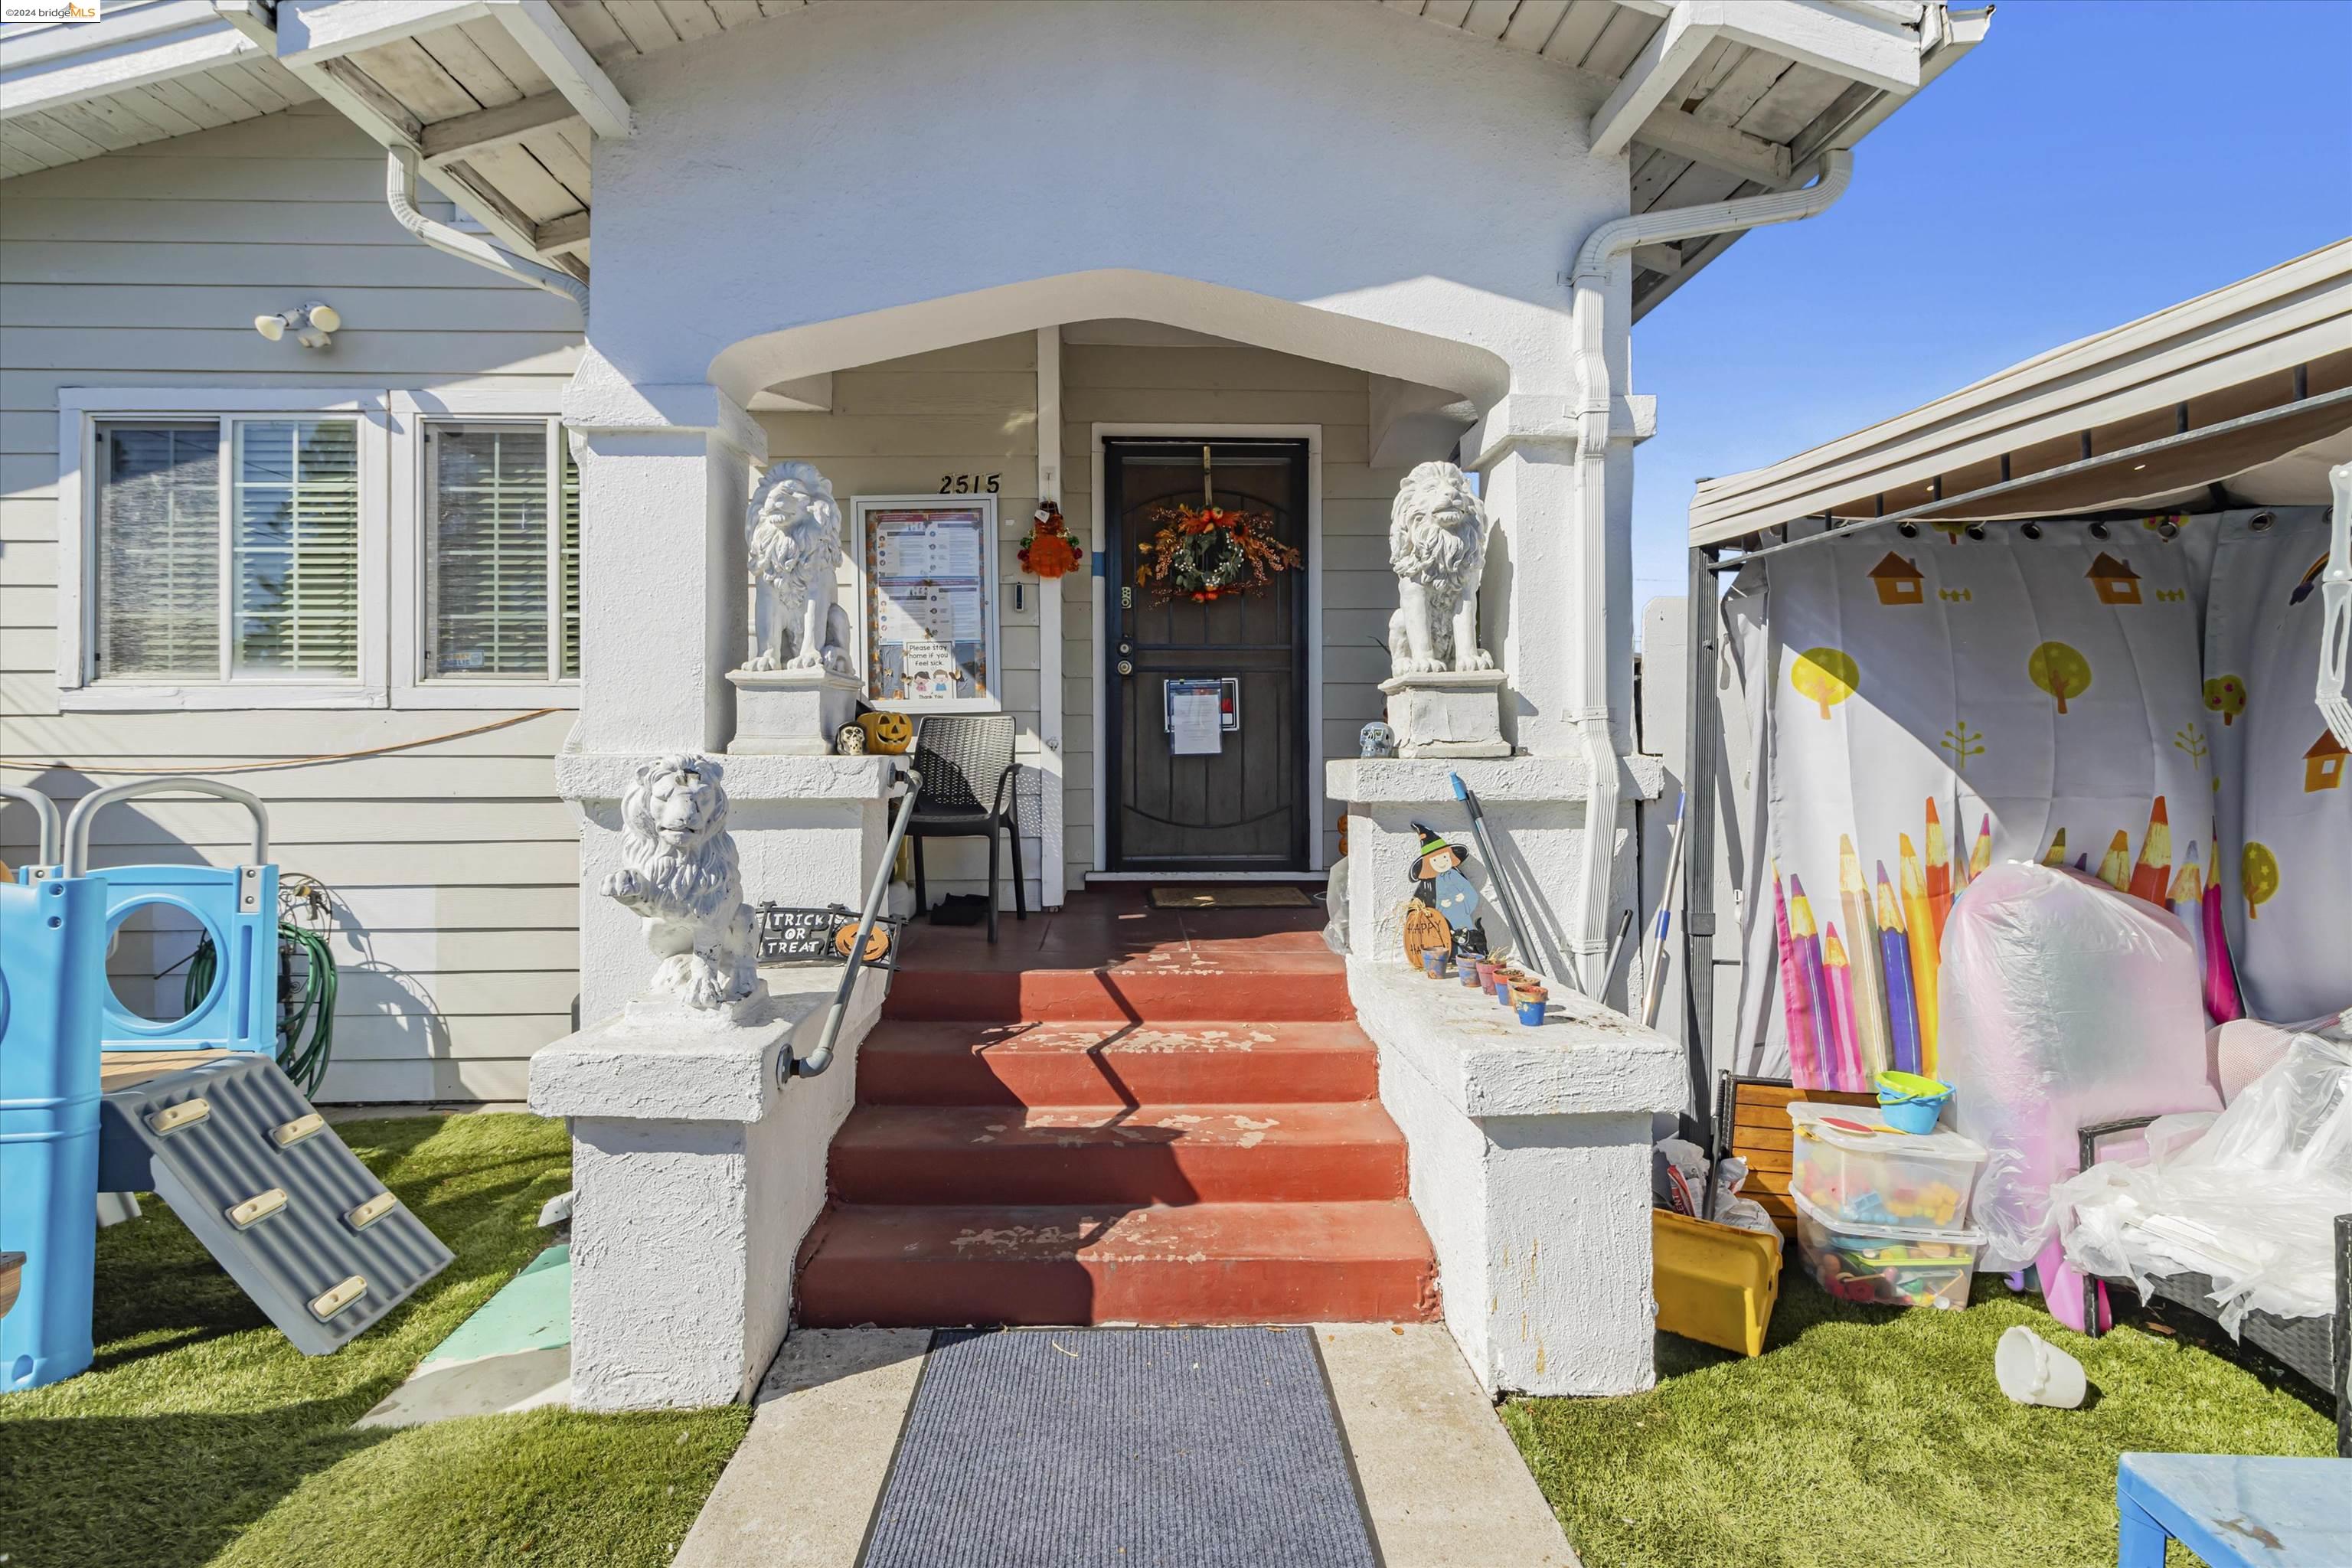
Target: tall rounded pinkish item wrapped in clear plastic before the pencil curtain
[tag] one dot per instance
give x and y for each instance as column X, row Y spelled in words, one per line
column 2064, row 1005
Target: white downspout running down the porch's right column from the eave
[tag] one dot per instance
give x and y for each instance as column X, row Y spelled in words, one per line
column 1596, row 264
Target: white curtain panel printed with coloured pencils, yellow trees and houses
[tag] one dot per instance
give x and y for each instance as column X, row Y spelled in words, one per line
column 1942, row 704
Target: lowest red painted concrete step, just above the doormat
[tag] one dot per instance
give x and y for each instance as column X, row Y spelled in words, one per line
column 1203, row 1264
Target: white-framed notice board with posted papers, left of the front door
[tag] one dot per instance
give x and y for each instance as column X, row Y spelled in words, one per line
column 928, row 601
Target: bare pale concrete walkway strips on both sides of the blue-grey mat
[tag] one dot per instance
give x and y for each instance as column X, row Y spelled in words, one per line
column 1443, row 1482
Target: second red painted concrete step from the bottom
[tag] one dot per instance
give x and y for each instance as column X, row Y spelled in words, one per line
column 1100, row 1155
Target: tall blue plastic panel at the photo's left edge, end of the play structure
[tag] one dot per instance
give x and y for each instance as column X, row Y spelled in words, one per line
column 53, row 986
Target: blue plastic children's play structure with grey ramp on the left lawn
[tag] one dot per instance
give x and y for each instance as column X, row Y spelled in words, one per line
column 98, row 1097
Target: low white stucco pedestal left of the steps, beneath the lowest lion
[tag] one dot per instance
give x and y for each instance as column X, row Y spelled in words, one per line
column 697, row 1174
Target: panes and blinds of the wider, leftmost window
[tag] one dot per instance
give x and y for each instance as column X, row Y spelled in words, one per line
column 229, row 551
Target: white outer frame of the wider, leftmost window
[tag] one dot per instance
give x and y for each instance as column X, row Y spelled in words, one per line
column 79, row 481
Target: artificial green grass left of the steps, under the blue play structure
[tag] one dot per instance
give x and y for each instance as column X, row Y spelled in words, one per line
column 201, row 1438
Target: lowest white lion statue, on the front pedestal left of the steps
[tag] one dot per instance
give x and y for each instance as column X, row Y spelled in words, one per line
column 681, row 873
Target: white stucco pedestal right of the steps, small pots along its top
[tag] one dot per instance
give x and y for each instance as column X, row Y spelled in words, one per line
column 1530, row 1167
